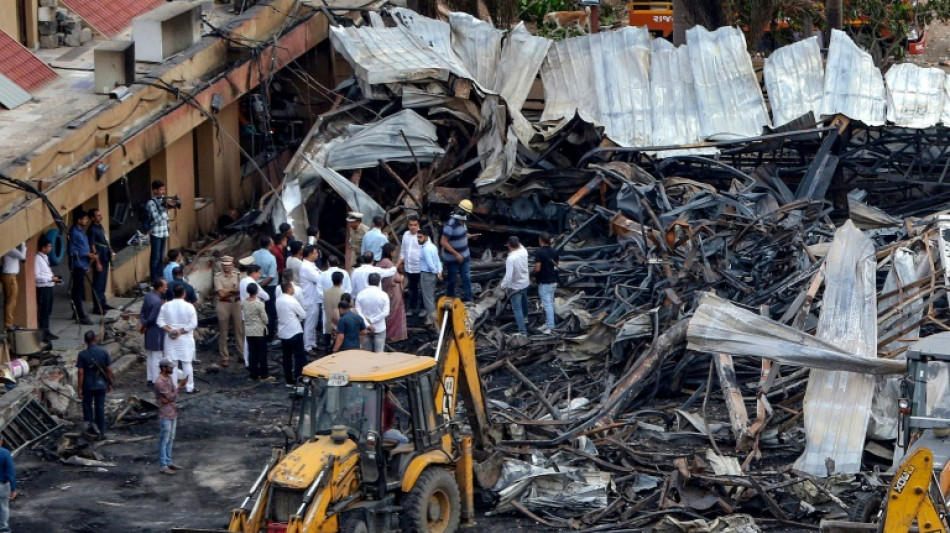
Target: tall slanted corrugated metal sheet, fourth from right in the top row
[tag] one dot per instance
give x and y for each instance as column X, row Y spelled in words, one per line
column 728, row 95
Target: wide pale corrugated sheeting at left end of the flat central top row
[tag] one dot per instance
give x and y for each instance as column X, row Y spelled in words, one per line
column 606, row 78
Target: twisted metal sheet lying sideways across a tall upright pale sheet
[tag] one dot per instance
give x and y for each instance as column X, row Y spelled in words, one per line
column 719, row 326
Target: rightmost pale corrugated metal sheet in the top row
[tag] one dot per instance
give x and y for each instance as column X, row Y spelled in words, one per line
column 915, row 95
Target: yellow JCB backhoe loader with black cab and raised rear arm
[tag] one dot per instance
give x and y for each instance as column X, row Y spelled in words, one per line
column 351, row 470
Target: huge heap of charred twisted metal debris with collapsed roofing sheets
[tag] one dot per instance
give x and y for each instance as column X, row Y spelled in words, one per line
column 731, row 315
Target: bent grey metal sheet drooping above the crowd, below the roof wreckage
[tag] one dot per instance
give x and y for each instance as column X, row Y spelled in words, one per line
column 403, row 137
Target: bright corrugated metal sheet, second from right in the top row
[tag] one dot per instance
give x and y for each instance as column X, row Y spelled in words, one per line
column 854, row 87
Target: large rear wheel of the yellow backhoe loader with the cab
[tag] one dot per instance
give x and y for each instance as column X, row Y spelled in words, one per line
column 432, row 506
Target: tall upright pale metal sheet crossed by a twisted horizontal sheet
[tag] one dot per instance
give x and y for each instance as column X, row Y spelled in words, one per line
column 837, row 404
